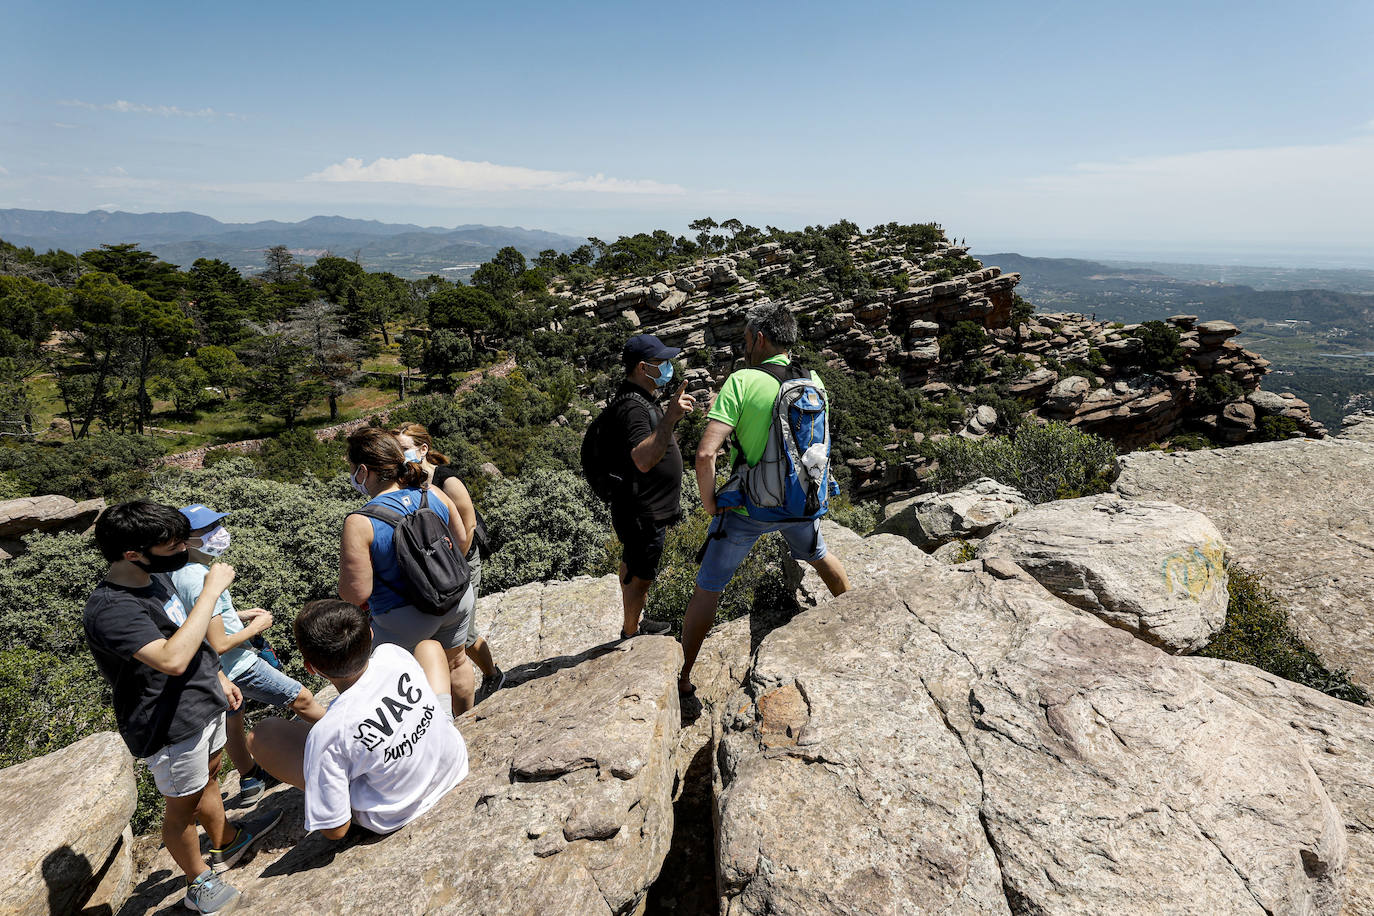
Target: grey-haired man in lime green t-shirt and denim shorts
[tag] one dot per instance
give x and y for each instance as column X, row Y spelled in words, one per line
column 744, row 413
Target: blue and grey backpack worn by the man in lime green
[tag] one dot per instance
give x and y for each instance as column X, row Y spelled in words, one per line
column 792, row 481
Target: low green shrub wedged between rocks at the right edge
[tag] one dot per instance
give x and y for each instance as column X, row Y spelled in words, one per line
column 1258, row 632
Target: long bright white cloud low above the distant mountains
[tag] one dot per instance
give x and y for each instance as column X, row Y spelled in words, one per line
column 461, row 175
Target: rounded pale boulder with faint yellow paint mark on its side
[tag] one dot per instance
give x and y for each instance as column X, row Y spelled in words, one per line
column 1153, row 569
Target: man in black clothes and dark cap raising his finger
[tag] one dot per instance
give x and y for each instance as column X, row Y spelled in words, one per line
column 651, row 501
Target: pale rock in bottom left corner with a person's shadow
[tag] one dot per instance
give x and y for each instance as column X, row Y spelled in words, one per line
column 67, row 819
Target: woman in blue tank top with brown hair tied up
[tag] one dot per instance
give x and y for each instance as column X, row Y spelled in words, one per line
column 369, row 573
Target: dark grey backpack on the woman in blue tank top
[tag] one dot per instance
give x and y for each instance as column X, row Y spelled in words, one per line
column 433, row 572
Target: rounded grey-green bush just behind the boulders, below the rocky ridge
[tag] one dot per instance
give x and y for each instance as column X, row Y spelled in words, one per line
column 1050, row 462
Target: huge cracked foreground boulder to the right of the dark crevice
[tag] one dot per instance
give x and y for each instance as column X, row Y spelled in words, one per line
column 1042, row 762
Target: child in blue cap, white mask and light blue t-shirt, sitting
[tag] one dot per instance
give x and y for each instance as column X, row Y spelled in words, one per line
column 230, row 635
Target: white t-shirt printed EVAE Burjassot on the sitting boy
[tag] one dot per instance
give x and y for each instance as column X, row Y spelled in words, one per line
column 385, row 753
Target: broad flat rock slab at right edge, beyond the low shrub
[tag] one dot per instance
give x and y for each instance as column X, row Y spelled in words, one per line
column 1300, row 514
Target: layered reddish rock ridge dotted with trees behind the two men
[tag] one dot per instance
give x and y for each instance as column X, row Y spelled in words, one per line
column 1064, row 367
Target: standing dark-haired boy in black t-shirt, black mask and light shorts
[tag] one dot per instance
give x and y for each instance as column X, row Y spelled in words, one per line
column 170, row 696
